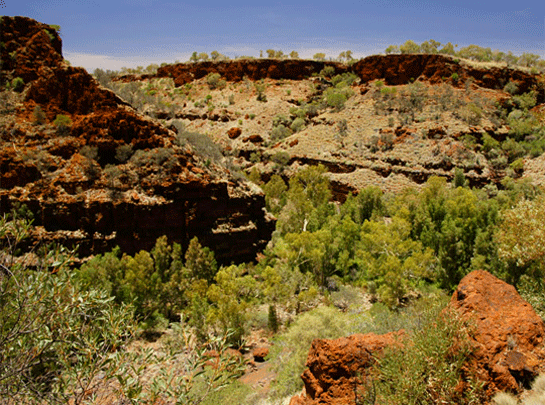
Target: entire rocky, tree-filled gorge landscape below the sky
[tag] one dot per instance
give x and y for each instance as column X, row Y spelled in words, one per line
column 256, row 230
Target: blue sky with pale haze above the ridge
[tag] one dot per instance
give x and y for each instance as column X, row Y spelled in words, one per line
column 116, row 33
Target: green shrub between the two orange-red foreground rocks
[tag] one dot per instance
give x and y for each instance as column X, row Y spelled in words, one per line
column 428, row 369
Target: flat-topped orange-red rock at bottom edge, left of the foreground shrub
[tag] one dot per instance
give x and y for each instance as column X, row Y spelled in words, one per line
column 334, row 367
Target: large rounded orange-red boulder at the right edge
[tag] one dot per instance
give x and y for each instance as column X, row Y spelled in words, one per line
column 508, row 334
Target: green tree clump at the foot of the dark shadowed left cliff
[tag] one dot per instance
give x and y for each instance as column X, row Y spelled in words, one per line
column 156, row 283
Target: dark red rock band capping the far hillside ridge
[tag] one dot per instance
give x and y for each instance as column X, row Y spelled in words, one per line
column 393, row 69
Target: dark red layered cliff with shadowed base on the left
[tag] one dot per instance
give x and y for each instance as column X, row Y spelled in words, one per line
column 83, row 190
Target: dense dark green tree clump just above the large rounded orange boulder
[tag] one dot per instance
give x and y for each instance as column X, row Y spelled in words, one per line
column 455, row 223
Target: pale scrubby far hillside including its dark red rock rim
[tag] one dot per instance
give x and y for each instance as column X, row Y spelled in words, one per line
column 407, row 117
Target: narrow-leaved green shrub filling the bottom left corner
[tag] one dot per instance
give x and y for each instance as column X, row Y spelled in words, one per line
column 56, row 338
